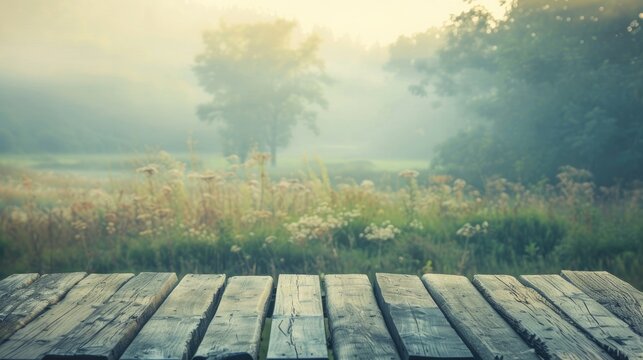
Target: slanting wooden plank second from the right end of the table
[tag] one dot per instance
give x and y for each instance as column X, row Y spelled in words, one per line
column 602, row 326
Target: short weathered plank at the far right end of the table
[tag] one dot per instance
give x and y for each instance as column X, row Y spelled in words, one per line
column 616, row 295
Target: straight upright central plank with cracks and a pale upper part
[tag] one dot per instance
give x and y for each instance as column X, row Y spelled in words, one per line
column 297, row 329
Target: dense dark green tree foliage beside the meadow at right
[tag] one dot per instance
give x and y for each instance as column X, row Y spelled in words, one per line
column 553, row 83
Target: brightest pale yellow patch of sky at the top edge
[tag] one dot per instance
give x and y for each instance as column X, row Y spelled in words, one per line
column 366, row 21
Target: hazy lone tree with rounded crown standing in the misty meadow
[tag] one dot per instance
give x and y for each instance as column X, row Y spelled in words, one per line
column 261, row 85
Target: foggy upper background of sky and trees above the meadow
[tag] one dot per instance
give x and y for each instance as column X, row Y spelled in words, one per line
column 475, row 88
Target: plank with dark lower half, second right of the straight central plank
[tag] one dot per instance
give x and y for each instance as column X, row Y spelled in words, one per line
column 419, row 328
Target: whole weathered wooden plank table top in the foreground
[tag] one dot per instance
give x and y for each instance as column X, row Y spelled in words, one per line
column 154, row 316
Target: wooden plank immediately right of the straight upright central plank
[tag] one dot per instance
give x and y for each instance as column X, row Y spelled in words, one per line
column 357, row 328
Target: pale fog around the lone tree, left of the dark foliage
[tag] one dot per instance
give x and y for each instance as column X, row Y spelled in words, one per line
column 116, row 76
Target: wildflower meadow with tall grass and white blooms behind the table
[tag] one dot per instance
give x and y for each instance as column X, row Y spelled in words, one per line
column 211, row 215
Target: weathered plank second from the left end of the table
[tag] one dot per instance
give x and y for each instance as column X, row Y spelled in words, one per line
column 20, row 307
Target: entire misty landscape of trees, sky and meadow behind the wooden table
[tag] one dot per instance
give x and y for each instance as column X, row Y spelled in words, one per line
column 253, row 137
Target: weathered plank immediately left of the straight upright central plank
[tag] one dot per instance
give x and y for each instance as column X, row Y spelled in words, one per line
column 235, row 331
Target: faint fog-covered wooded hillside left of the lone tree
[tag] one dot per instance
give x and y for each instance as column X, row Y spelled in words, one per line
column 53, row 118
